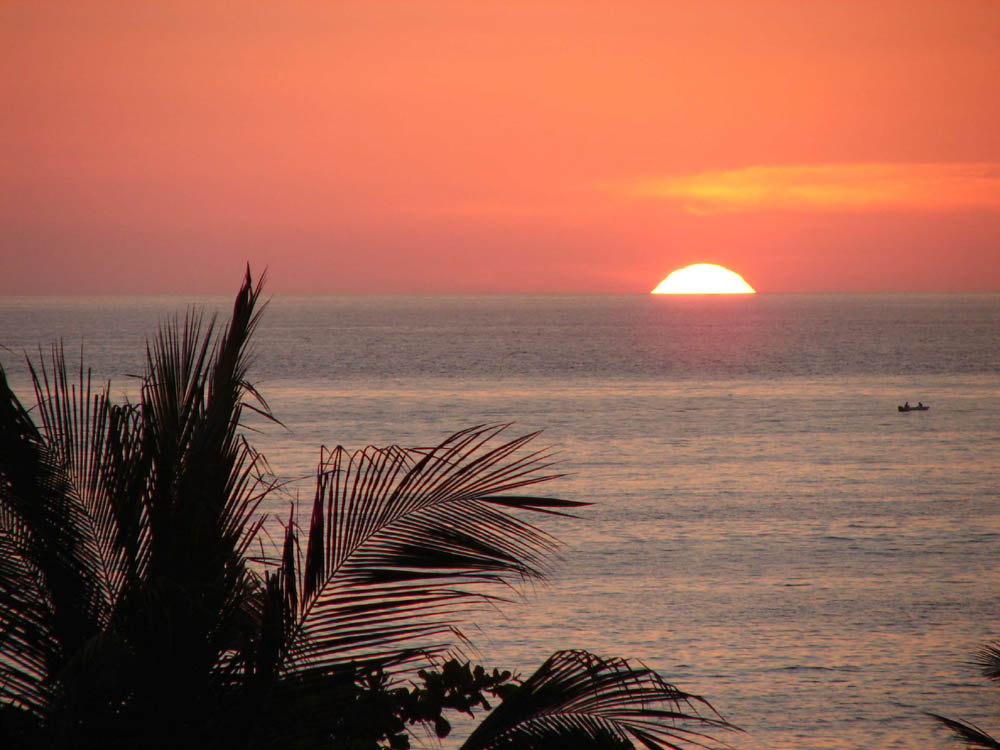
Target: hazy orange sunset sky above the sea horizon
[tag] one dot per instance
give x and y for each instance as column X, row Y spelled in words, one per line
column 511, row 146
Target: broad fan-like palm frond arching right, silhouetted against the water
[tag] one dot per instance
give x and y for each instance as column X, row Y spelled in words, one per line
column 401, row 543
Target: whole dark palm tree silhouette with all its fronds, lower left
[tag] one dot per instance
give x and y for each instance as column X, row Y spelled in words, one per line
column 141, row 603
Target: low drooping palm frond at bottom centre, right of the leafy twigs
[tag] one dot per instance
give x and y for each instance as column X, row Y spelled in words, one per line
column 579, row 699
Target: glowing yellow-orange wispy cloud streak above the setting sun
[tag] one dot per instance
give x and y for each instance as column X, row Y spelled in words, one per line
column 830, row 187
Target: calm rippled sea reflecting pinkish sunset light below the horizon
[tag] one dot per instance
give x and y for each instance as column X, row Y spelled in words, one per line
column 768, row 531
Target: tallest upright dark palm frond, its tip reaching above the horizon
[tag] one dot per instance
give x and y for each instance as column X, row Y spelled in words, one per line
column 200, row 483
